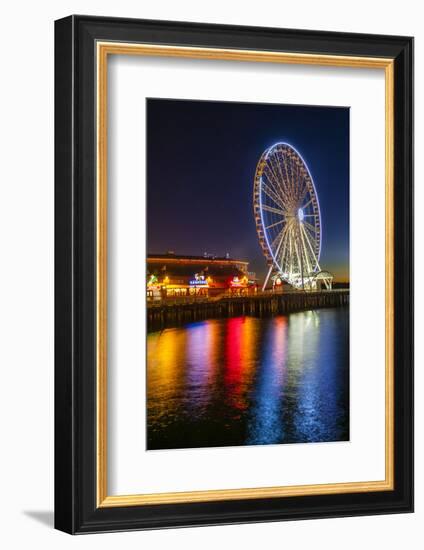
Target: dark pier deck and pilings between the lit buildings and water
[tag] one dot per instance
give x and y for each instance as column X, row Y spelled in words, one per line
column 175, row 313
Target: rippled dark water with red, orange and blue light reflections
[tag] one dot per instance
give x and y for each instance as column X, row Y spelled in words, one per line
column 250, row 381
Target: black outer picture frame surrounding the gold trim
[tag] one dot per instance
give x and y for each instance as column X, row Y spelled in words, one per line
column 76, row 510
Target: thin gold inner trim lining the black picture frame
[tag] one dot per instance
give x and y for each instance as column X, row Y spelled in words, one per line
column 104, row 49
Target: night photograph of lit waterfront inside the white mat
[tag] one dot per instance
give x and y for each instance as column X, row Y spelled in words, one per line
column 247, row 270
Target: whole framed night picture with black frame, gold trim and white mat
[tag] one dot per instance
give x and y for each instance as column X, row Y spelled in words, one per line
column 233, row 265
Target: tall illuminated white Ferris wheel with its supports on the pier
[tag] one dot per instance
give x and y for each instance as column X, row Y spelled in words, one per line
column 288, row 218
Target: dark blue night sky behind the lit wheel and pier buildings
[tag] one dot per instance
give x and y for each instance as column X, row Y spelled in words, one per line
column 201, row 162
